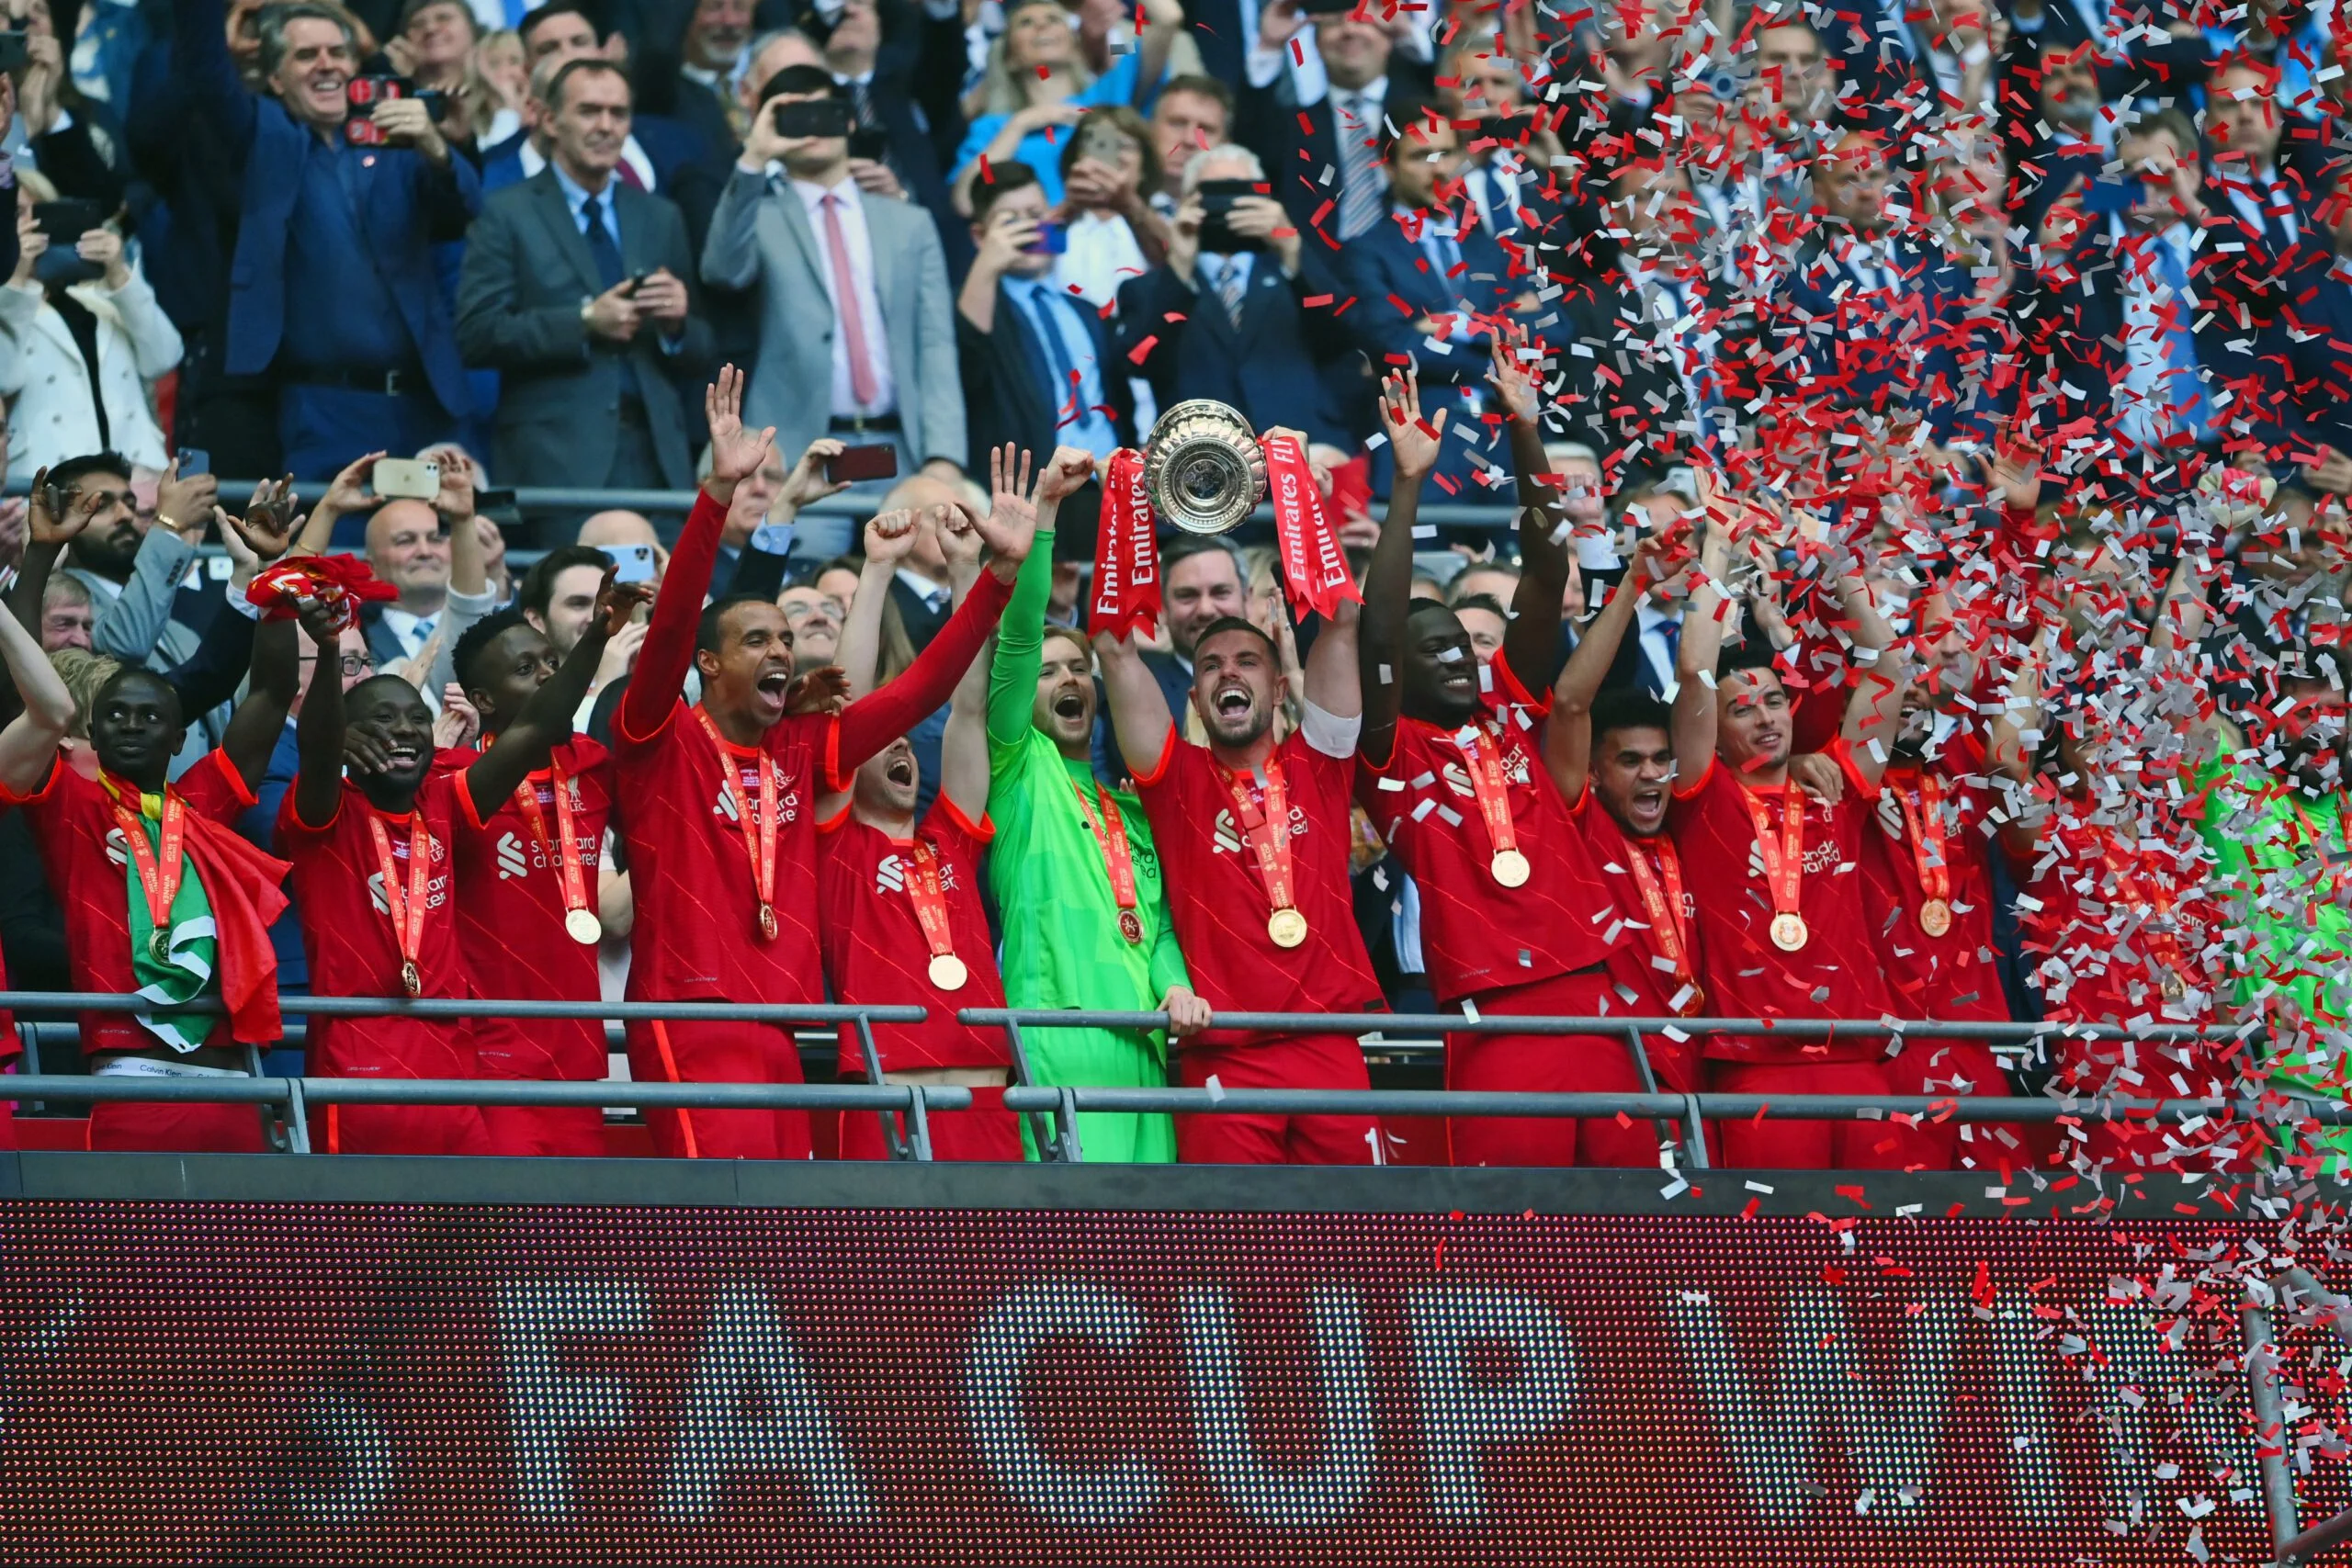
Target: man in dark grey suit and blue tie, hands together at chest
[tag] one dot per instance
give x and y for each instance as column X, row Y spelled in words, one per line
column 575, row 293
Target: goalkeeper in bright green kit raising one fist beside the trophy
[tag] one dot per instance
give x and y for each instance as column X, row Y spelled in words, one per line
column 1076, row 866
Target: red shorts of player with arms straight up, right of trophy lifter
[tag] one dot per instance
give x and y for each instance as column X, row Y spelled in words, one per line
column 1546, row 1064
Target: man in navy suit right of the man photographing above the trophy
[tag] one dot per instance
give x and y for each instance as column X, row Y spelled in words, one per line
column 1429, row 283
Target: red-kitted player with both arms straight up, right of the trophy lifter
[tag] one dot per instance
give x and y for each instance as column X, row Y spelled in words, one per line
column 1514, row 916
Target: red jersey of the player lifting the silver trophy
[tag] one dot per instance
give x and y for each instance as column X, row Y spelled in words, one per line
column 1220, row 899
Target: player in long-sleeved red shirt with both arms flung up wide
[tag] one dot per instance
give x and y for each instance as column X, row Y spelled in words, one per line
column 721, row 805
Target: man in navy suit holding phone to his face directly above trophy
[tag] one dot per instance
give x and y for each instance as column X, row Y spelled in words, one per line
column 1229, row 314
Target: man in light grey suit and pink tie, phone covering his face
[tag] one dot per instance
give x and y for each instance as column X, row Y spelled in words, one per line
column 857, row 330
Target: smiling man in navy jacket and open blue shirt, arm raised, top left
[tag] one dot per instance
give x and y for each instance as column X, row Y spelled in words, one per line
column 333, row 288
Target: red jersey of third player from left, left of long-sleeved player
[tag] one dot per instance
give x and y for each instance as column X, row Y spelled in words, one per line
column 512, row 916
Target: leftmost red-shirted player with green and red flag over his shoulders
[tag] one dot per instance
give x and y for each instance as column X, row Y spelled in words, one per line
column 156, row 890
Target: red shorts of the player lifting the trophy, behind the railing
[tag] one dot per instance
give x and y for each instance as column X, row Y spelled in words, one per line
column 1292, row 1061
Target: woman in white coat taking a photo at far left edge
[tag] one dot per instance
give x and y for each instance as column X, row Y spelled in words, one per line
column 79, row 349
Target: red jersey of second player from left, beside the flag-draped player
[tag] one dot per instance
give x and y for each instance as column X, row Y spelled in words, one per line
column 347, row 930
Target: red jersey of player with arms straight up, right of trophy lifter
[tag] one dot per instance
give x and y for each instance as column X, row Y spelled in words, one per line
column 1478, row 934
